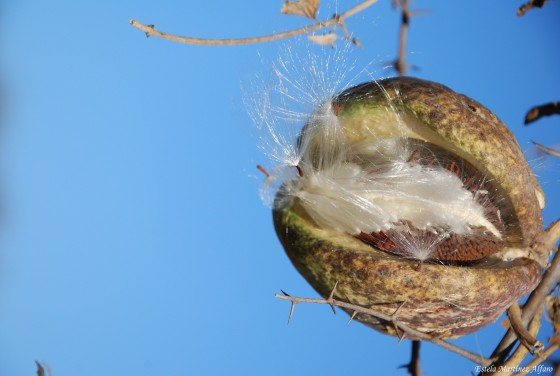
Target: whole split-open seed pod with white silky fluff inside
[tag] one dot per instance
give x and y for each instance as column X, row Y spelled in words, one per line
column 410, row 195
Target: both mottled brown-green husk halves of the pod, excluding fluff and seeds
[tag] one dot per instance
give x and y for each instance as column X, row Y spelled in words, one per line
column 442, row 300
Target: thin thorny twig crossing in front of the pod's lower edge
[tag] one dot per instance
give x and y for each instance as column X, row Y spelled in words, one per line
column 390, row 318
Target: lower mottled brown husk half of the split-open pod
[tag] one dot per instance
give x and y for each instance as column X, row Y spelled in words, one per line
column 441, row 300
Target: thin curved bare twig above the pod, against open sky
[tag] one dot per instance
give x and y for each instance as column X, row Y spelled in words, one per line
column 336, row 20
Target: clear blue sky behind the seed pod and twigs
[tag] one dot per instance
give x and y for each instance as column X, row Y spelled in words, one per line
column 133, row 240
